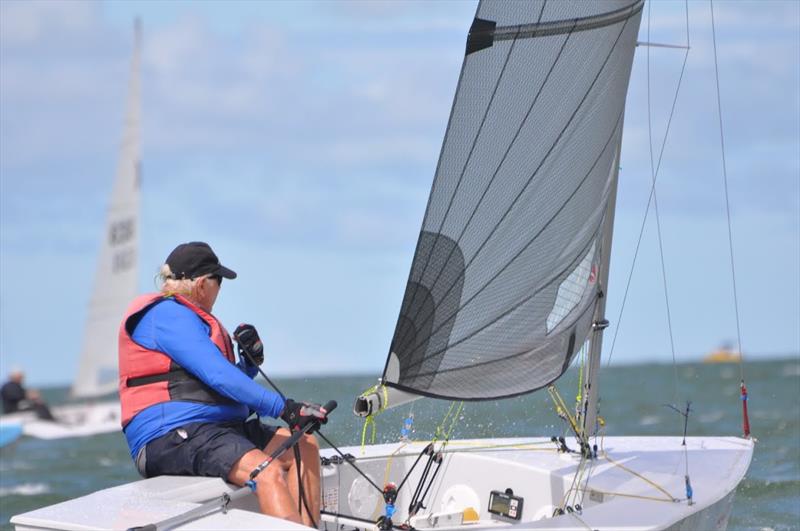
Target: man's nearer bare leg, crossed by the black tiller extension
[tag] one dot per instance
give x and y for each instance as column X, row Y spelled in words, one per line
column 272, row 489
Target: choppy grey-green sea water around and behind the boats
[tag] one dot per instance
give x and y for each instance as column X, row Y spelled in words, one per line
column 35, row 473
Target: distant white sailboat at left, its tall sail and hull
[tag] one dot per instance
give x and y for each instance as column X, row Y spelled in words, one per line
column 115, row 285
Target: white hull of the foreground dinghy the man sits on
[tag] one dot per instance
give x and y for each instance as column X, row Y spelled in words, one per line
column 630, row 486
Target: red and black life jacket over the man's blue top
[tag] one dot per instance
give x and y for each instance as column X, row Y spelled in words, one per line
column 148, row 376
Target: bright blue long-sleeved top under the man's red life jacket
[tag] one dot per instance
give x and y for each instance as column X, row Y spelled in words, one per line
column 181, row 334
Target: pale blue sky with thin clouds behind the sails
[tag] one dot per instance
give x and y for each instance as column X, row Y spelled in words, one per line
column 300, row 140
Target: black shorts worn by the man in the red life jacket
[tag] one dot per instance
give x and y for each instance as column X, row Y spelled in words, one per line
column 203, row 449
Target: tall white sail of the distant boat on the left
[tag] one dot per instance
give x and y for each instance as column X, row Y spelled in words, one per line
column 117, row 271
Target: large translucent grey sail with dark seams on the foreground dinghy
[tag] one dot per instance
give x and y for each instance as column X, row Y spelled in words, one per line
column 506, row 273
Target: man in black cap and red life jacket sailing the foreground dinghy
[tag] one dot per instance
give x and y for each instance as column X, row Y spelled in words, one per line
column 186, row 401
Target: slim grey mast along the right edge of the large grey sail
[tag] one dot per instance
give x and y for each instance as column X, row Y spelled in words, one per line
column 591, row 387
